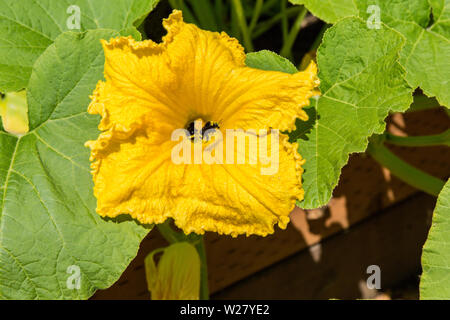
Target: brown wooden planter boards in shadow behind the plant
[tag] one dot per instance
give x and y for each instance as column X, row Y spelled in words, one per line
column 372, row 214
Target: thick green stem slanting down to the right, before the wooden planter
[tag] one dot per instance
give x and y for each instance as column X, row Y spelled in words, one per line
column 411, row 175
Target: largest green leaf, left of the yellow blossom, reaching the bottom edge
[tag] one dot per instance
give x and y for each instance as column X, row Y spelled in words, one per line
column 49, row 229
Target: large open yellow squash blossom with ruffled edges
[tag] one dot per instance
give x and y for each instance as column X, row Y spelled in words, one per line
column 153, row 89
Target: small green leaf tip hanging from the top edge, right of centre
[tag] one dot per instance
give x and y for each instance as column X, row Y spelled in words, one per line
column 329, row 11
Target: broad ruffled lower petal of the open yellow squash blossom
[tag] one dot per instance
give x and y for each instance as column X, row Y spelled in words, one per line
column 138, row 177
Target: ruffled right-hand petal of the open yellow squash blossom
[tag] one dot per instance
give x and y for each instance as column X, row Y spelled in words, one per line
column 257, row 99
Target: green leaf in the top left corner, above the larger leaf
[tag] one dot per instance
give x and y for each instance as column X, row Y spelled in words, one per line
column 28, row 27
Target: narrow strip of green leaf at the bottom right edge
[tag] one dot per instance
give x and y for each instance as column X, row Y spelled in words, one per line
column 435, row 279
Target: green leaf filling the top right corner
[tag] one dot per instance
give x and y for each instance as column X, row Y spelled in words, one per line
column 426, row 54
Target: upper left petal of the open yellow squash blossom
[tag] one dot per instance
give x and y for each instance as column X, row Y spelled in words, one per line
column 138, row 82
